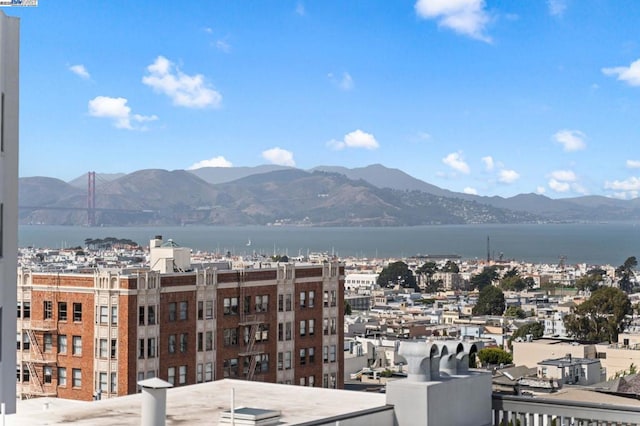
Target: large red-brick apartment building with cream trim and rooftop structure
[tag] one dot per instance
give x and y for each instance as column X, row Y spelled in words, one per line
column 87, row 335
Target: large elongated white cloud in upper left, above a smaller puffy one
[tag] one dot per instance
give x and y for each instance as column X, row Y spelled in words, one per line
column 189, row 91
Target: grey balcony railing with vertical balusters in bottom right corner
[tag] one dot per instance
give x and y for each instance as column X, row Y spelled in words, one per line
column 511, row 410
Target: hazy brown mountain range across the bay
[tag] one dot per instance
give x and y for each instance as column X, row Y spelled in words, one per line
column 275, row 195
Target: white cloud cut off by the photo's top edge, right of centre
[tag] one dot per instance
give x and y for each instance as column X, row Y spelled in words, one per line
column 467, row 17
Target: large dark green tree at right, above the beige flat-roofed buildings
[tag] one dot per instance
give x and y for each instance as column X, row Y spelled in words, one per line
column 602, row 317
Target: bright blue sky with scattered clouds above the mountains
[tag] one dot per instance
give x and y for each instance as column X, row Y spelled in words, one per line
column 485, row 97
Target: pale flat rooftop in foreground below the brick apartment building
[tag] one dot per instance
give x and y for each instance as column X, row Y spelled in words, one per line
column 201, row 404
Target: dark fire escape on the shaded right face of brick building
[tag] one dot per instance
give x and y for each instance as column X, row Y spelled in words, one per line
column 251, row 327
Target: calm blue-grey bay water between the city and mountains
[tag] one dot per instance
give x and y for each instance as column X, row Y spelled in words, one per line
column 601, row 243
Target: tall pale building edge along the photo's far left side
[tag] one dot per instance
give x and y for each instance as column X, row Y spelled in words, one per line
column 9, row 94
